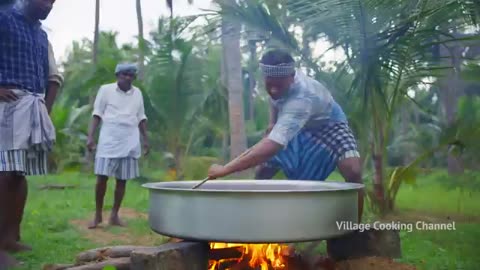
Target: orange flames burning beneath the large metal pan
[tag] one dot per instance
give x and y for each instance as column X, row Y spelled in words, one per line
column 259, row 255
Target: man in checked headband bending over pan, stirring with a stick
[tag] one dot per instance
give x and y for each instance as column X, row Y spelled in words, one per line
column 308, row 135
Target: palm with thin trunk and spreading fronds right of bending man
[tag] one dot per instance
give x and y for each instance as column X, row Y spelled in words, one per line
column 387, row 45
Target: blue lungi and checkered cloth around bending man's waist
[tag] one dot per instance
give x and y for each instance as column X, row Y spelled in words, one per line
column 313, row 155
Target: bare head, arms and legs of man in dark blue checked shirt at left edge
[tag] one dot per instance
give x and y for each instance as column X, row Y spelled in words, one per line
column 13, row 185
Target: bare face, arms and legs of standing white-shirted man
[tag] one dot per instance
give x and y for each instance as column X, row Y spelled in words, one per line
column 124, row 81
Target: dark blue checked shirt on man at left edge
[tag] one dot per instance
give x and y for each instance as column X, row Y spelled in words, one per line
column 23, row 52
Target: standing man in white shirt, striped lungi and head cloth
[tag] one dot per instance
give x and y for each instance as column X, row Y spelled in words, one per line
column 119, row 107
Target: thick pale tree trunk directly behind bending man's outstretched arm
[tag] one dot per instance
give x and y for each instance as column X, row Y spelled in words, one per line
column 232, row 56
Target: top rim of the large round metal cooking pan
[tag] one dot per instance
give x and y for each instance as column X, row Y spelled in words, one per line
column 349, row 186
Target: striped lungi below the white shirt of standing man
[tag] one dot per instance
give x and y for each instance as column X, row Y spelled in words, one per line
column 121, row 168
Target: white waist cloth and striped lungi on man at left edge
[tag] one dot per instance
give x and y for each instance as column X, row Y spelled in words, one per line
column 26, row 134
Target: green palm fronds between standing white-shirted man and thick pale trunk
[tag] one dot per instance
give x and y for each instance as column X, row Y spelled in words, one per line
column 183, row 91
